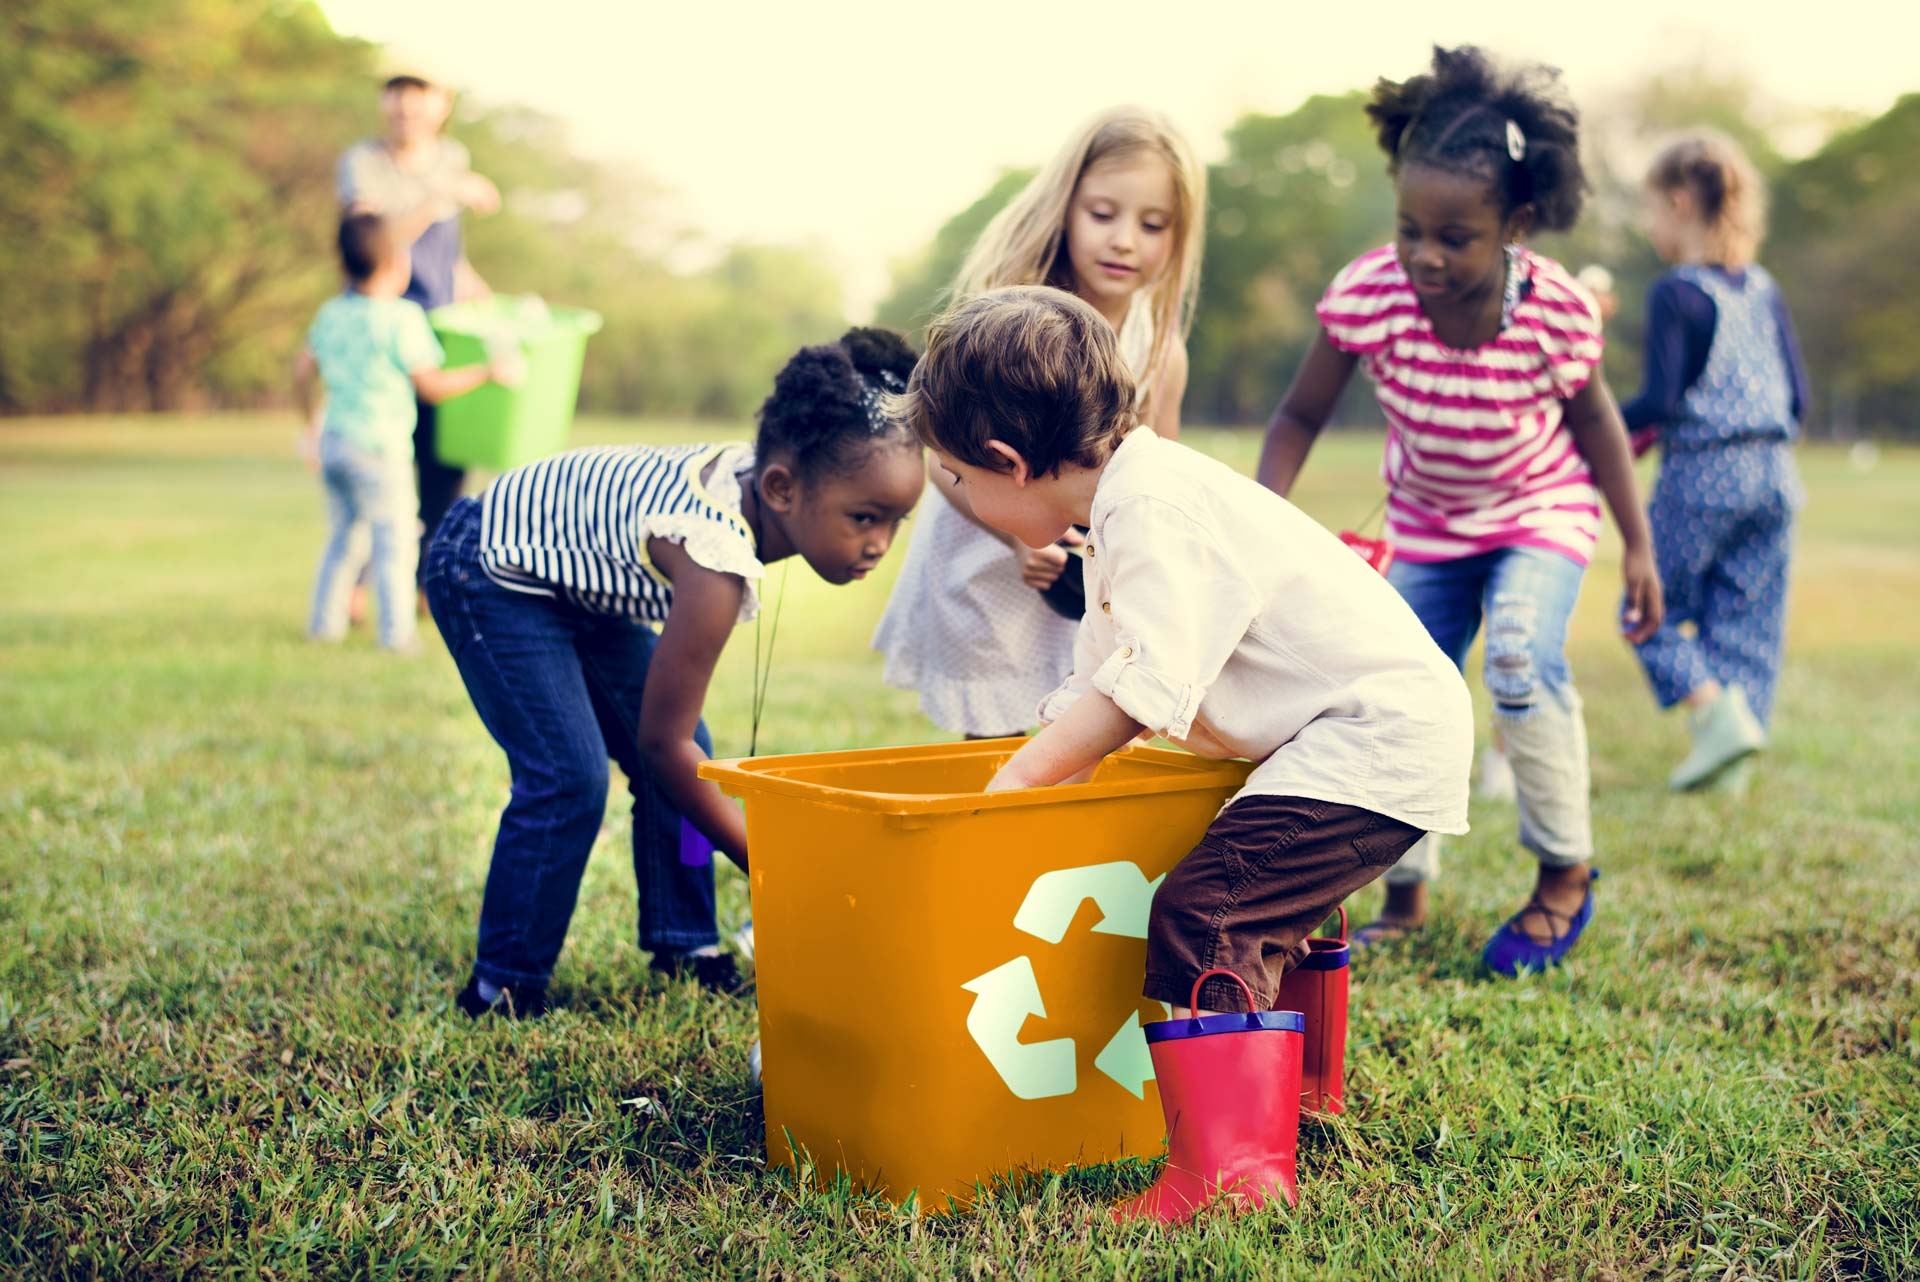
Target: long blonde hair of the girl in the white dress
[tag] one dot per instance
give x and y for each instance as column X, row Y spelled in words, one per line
column 1028, row 241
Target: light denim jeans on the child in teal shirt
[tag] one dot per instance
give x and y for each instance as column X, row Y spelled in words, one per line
column 375, row 492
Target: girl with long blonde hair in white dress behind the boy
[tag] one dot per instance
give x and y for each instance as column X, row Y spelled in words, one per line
column 1116, row 218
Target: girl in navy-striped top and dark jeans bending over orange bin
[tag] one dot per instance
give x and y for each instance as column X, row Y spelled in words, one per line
column 548, row 588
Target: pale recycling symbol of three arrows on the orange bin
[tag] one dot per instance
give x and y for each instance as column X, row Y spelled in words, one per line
column 1007, row 995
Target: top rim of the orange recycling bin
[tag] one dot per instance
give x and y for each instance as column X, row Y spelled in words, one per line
column 757, row 774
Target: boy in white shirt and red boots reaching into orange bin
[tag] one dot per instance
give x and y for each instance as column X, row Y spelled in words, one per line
column 1234, row 625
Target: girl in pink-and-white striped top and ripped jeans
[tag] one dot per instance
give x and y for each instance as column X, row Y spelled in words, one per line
column 1487, row 364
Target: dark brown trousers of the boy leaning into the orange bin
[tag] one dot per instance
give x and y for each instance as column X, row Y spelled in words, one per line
column 1266, row 874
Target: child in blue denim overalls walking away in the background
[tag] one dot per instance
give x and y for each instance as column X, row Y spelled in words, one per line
column 1725, row 391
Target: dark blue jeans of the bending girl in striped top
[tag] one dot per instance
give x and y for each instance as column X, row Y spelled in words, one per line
column 560, row 692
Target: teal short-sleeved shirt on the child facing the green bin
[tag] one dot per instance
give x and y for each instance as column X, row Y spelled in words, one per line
column 368, row 350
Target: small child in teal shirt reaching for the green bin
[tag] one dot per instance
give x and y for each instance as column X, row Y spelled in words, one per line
column 377, row 358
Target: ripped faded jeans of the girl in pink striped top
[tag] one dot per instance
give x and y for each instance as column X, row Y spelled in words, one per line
column 1525, row 598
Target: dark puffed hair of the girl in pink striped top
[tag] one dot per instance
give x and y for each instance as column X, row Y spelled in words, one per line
column 1456, row 118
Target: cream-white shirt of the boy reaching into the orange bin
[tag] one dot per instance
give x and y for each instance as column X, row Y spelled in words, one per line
column 1232, row 623
